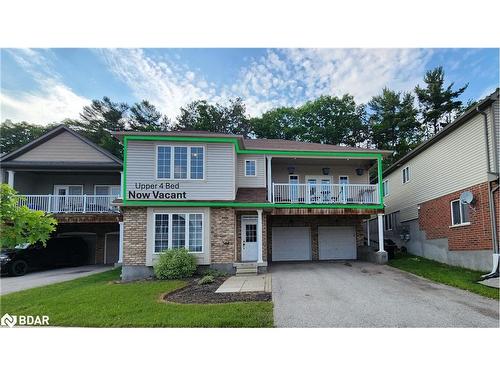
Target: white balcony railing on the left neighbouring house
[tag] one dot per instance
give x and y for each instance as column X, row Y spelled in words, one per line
column 70, row 203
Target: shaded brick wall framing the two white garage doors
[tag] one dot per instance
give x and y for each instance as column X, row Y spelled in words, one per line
column 313, row 222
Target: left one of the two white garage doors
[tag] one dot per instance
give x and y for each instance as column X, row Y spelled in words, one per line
column 291, row 243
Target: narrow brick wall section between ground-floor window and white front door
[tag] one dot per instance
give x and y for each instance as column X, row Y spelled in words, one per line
column 222, row 235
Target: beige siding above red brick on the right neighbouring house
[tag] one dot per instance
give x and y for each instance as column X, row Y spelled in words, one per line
column 455, row 162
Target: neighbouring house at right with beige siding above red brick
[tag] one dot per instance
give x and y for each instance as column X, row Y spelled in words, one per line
column 422, row 190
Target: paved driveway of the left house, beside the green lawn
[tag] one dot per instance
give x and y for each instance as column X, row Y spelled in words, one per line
column 31, row 280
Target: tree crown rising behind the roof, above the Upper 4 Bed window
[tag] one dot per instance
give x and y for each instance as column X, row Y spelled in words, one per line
column 145, row 117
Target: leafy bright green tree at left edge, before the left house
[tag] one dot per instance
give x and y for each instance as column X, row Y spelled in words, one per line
column 19, row 224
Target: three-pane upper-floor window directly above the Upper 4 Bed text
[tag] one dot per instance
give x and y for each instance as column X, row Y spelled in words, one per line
column 180, row 162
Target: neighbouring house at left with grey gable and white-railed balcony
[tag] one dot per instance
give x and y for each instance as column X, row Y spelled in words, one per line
column 65, row 174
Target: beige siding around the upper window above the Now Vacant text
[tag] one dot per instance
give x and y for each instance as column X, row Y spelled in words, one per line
column 218, row 183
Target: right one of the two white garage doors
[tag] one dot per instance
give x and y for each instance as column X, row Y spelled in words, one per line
column 337, row 243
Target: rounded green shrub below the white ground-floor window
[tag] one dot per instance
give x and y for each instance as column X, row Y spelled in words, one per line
column 175, row 264
